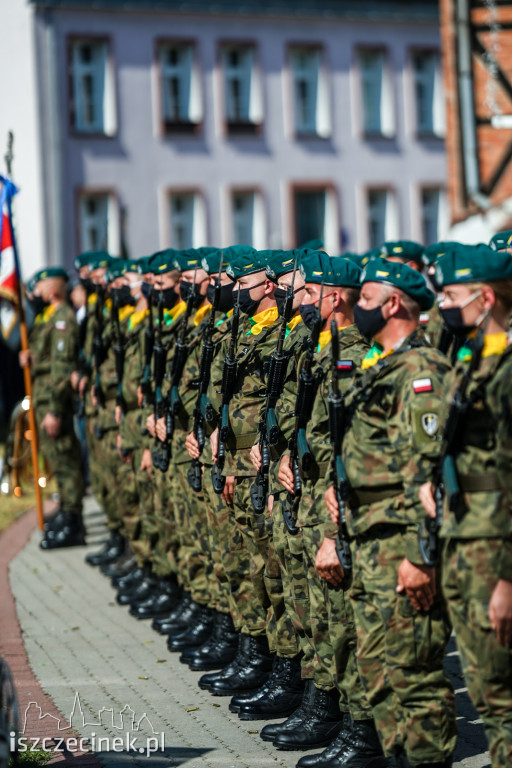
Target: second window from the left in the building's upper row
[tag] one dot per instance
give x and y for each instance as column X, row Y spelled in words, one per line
column 181, row 97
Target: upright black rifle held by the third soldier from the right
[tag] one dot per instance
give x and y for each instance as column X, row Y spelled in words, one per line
column 300, row 454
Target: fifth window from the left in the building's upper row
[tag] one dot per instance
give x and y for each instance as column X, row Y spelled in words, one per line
column 376, row 93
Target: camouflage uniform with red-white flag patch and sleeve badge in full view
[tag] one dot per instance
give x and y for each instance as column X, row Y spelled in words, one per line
column 393, row 423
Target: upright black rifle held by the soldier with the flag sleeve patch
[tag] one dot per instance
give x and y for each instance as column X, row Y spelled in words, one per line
column 337, row 427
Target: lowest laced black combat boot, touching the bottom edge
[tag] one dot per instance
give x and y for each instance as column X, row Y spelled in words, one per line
column 358, row 746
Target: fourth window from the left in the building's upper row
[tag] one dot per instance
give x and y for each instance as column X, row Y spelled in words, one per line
column 310, row 93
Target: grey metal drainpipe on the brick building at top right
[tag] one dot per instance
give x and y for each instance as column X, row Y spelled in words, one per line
column 467, row 107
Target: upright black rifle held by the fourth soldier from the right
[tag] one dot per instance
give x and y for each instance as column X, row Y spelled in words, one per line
column 269, row 428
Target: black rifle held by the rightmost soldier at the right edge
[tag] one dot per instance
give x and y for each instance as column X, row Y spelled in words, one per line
column 446, row 481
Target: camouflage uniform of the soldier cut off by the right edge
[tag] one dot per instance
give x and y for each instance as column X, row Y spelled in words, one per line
column 478, row 546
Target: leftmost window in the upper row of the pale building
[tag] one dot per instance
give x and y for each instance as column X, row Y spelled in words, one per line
column 92, row 98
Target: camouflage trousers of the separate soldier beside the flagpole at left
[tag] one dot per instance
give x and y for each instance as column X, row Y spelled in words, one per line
column 64, row 458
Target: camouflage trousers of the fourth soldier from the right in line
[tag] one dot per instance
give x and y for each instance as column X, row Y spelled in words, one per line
column 288, row 550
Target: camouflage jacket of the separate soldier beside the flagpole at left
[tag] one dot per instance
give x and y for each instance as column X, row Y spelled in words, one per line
column 54, row 343
